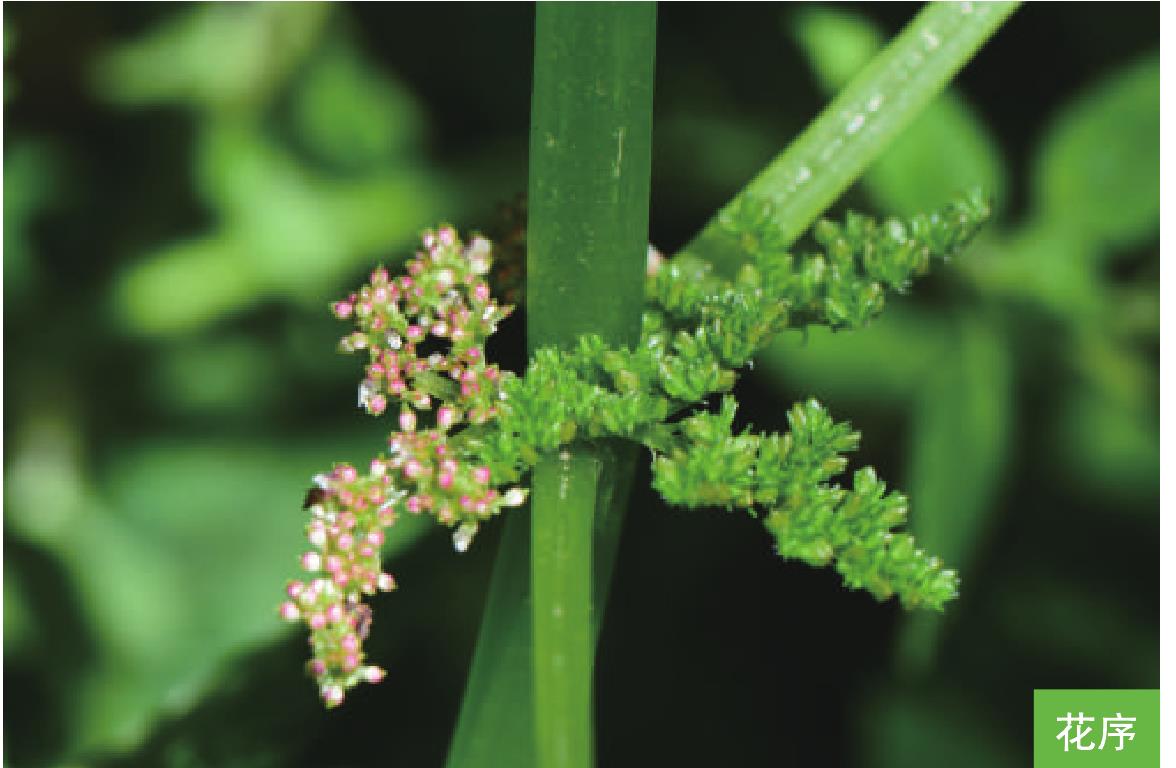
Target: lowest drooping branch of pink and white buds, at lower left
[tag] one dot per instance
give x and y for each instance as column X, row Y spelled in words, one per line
column 349, row 517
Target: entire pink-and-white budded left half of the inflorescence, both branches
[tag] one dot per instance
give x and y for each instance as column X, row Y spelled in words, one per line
column 425, row 335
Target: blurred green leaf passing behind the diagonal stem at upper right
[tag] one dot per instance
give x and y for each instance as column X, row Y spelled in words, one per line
column 945, row 152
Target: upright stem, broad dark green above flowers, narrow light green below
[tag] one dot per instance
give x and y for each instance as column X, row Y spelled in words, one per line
column 587, row 238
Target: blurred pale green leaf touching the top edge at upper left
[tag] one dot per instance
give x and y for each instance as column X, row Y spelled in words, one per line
column 216, row 56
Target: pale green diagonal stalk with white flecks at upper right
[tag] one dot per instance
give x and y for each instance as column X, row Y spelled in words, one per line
column 806, row 179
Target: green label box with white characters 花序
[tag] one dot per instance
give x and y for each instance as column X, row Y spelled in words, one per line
column 1092, row 729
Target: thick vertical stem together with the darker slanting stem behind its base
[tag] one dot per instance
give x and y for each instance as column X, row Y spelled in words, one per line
column 587, row 235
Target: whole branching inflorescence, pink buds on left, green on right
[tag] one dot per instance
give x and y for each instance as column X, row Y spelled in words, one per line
column 469, row 432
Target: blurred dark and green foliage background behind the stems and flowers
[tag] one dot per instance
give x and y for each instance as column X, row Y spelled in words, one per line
column 186, row 188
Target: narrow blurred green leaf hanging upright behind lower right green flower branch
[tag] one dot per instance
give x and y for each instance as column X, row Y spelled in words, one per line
column 961, row 435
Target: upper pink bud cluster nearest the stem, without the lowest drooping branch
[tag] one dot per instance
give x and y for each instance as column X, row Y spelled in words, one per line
column 425, row 333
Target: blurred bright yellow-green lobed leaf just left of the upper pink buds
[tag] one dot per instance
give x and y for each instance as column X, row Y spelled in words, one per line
column 288, row 233
